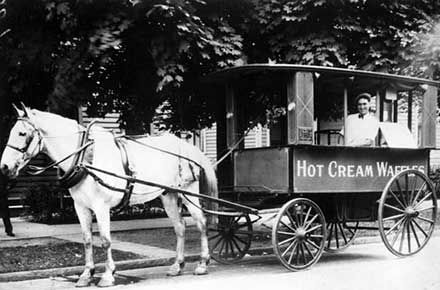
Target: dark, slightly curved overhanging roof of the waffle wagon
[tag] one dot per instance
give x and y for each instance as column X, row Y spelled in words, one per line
column 238, row 72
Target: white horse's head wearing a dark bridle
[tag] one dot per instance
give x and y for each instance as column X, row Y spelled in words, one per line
column 24, row 143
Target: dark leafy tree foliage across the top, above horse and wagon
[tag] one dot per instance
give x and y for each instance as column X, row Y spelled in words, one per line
column 134, row 56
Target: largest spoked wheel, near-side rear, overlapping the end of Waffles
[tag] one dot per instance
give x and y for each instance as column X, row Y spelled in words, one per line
column 407, row 212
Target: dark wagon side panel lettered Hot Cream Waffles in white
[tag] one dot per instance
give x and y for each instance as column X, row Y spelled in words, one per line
column 351, row 170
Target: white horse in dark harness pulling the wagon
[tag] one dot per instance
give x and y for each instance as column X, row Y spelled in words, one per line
column 37, row 131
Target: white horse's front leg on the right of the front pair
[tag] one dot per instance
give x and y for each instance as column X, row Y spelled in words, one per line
column 103, row 218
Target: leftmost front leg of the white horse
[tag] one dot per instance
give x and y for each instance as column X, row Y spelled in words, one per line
column 85, row 218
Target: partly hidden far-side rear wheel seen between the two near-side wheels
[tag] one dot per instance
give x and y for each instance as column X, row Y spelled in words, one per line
column 340, row 235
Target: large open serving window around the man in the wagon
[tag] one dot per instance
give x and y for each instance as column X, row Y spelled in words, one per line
column 391, row 102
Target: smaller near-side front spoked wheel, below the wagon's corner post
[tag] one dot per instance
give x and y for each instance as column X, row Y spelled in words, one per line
column 298, row 234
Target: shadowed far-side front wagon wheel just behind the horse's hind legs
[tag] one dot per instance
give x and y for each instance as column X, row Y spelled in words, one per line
column 230, row 239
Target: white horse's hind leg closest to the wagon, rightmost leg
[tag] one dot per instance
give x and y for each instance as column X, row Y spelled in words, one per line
column 194, row 208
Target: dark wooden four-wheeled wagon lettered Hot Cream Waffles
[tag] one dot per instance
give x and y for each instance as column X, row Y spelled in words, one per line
column 320, row 192
